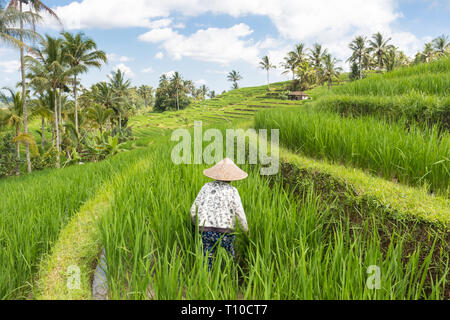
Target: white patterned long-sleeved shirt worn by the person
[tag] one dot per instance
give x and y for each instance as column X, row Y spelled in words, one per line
column 217, row 206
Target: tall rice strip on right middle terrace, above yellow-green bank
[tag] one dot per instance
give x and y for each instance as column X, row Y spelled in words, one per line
column 412, row 156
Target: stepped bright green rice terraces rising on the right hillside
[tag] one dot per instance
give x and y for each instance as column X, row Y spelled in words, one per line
column 409, row 144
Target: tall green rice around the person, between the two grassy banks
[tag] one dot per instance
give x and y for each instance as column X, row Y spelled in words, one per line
column 293, row 252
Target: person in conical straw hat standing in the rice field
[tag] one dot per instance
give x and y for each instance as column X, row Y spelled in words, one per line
column 217, row 206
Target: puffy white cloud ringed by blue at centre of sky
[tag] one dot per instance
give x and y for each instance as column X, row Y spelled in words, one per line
column 220, row 45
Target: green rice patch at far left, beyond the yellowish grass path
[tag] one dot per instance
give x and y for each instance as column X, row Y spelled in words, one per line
column 33, row 210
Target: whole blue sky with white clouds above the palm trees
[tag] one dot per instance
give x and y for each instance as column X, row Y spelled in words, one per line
column 205, row 39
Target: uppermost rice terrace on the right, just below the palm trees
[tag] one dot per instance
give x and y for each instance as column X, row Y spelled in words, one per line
column 419, row 94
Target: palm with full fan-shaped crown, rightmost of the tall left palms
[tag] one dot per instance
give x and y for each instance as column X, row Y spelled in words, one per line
column 81, row 53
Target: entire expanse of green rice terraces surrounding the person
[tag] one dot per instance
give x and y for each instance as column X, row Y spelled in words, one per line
column 356, row 192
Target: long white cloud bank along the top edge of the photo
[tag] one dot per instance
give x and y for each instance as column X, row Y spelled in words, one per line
column 296, row 19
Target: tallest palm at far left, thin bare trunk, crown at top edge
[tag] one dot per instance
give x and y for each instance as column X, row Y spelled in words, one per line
column 36, row 6
